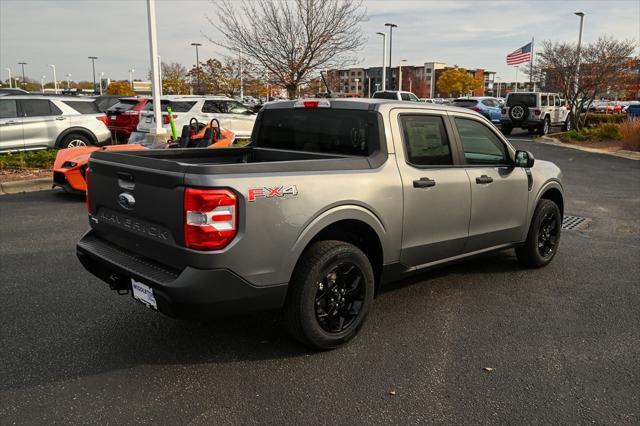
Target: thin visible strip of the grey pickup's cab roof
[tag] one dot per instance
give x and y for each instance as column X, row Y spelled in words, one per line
column 366, row 104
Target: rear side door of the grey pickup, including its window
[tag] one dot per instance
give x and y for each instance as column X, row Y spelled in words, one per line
column 436, row 193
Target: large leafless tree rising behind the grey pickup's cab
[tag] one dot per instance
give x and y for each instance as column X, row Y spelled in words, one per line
column 290, row 40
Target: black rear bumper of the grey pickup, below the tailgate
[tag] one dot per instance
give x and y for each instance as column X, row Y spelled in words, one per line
column 187, row 293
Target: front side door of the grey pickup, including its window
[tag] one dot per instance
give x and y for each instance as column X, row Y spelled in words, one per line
column 499, row 190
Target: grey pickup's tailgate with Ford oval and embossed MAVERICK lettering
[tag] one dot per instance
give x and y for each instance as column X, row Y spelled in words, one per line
column 137, row 204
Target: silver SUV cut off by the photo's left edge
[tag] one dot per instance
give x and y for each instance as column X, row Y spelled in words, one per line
column 30, row 122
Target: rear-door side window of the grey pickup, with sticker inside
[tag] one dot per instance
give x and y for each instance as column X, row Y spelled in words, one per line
column 425, row 140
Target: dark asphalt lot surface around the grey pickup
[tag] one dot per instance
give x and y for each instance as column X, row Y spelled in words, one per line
column 563, row 341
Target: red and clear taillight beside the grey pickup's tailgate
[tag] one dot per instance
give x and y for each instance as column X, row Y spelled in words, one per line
column 210, row 218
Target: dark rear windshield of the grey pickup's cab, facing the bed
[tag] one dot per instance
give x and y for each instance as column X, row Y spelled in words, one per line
column 346, row 132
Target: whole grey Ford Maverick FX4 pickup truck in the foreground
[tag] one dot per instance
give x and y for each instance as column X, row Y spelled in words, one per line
column 332, row 198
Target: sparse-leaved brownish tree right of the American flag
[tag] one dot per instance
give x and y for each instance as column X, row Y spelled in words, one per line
column 603, row 70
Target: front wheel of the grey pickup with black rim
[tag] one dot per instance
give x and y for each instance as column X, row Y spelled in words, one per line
column 543, row 237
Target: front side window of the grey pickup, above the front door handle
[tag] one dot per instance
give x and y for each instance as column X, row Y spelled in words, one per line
column 480, row 144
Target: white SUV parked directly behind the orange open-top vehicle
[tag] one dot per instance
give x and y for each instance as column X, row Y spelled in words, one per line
column 230, row 113
